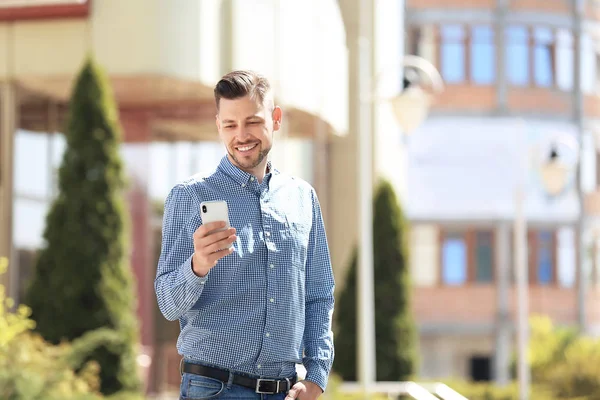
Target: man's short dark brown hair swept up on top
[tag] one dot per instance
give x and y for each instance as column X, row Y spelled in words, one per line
column 241, row 83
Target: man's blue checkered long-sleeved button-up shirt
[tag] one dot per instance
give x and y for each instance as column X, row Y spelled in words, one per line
column 269, row 304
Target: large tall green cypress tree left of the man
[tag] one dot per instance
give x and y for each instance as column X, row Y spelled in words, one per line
column 82, row 279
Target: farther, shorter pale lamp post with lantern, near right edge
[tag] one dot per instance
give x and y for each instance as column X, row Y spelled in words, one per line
column 554, row 172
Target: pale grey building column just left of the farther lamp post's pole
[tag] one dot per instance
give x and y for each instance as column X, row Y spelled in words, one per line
column 503, row 321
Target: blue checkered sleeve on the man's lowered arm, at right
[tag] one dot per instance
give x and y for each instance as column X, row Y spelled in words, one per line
column 320, row 285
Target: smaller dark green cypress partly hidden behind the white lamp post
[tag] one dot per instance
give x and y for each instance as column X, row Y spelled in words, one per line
column 396, row 336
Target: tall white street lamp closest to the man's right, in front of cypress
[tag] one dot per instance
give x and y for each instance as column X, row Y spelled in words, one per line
column 411, row 106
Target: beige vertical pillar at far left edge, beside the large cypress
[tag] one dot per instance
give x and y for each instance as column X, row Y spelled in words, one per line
column 8, row 127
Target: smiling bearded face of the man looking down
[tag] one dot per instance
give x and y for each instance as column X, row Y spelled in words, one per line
column 246, row 128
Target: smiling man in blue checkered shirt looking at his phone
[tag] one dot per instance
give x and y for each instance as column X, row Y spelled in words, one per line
column 249, row 313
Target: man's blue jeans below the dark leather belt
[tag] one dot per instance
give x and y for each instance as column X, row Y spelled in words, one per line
column 197, row 387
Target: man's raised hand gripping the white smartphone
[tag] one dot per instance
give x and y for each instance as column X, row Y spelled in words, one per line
column 210, row 247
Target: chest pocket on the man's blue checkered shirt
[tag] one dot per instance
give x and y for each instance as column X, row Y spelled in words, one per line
column 295, row 235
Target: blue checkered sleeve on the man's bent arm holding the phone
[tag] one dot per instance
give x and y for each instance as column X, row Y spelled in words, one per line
column 177, row 287
